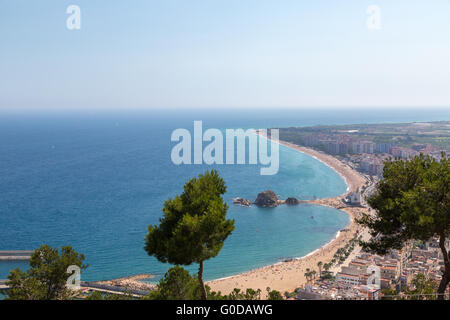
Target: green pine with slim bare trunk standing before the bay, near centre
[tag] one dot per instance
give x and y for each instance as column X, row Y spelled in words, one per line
column 194, row 226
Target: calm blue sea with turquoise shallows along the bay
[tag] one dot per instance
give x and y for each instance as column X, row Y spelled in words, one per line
column 96, row 180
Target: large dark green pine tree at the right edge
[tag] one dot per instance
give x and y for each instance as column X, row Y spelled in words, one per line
column 412, row 202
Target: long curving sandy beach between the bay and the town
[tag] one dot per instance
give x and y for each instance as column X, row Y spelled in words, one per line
column 287, row 276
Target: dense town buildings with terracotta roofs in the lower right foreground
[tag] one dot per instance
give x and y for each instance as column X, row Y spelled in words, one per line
column 396, row 271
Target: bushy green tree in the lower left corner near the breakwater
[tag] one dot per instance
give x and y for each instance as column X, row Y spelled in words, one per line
column 46, row 279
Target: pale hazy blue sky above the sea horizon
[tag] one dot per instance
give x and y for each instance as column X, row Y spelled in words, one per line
column 144, row 54
